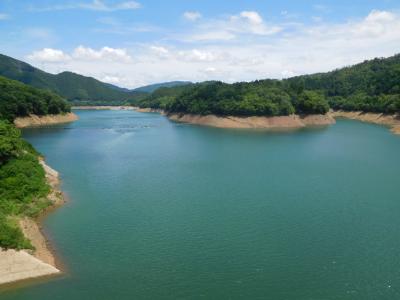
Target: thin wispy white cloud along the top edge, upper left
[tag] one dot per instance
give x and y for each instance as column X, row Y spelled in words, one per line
column 96, row 5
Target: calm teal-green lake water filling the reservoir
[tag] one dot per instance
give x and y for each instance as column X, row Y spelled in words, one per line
column 159, row 210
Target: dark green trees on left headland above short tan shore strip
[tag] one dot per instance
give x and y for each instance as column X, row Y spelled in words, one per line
column 17, row 99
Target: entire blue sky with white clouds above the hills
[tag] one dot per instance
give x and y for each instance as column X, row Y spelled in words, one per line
column 132, row 43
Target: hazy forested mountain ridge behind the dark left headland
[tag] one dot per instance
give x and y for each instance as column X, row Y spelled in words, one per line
column 74, row 87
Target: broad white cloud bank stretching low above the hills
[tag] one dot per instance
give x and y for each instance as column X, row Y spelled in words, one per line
column 224, row 50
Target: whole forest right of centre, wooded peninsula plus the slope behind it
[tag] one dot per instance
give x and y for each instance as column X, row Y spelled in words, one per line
column 372, row 86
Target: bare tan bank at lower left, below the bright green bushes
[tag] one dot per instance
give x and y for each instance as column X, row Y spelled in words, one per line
column 26, row 264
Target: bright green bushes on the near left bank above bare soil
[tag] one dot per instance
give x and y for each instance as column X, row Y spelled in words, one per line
column 23, row 186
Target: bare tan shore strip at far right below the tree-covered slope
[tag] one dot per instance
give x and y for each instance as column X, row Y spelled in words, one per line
column 391, row 121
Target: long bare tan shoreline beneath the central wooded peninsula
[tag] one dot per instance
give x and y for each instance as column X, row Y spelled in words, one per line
column 279, row 122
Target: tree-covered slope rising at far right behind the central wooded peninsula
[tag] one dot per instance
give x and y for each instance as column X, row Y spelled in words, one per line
column 371, row 86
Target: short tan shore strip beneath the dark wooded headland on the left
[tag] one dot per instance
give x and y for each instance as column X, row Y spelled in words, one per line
column 33, row 120
